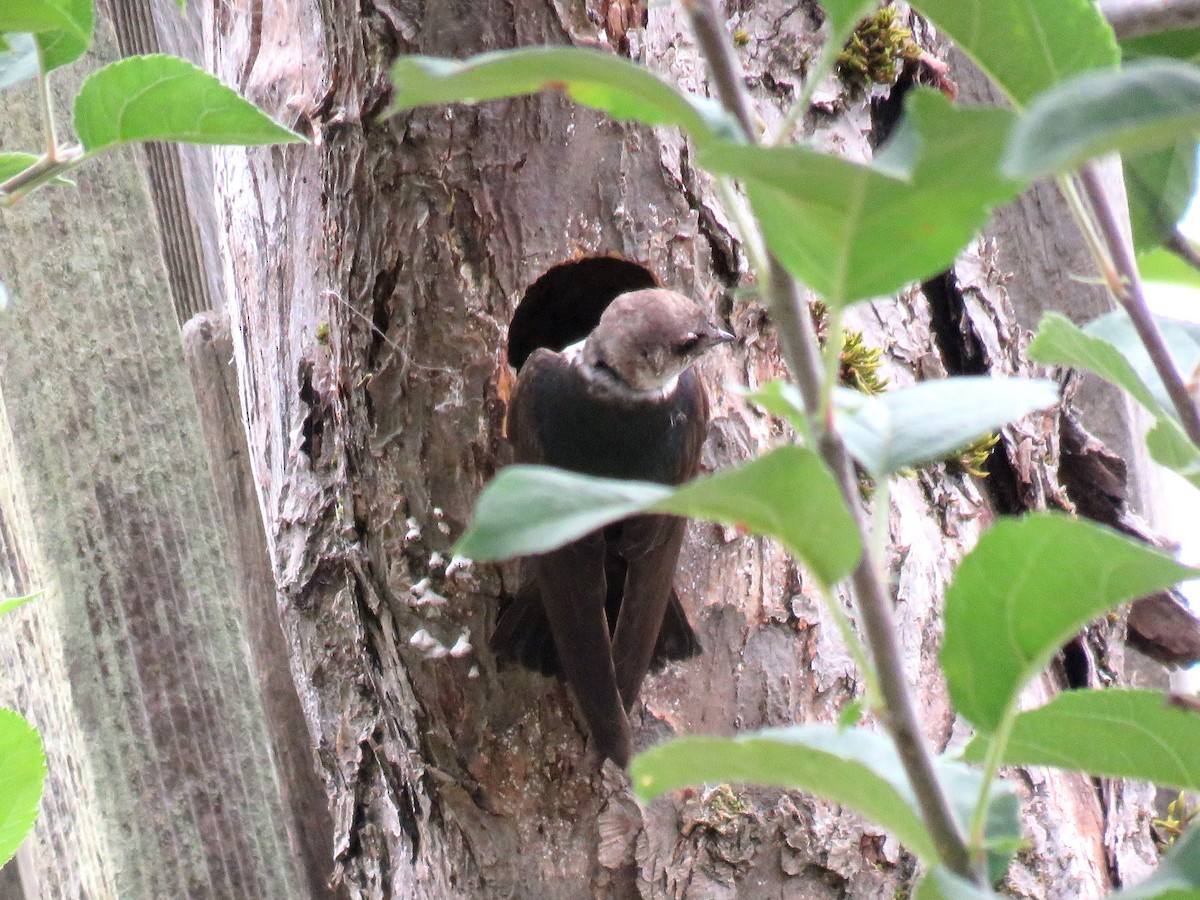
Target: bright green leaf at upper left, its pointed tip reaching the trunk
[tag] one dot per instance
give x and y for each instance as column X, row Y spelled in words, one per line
column 161, row 98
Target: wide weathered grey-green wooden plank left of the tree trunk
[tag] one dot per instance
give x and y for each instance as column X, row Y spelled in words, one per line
column 104, row 424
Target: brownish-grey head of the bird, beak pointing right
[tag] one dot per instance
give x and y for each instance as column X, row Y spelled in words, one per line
column 646, row 339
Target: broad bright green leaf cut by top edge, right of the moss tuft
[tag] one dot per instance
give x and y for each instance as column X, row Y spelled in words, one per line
column 1023, row 45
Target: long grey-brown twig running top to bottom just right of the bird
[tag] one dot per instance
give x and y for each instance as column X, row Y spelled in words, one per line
column 803, row 356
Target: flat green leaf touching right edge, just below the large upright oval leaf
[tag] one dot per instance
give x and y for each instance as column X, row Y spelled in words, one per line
column 1145, row 739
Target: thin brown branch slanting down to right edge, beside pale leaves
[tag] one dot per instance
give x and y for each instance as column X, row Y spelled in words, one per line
column 1127, row 290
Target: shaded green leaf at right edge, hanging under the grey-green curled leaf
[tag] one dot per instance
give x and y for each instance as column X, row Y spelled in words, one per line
column 1160, row 187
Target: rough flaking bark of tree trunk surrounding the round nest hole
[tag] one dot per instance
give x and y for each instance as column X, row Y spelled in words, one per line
column 374, row 275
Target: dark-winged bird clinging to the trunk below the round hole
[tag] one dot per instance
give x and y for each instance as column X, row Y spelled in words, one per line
column 625, row 404
